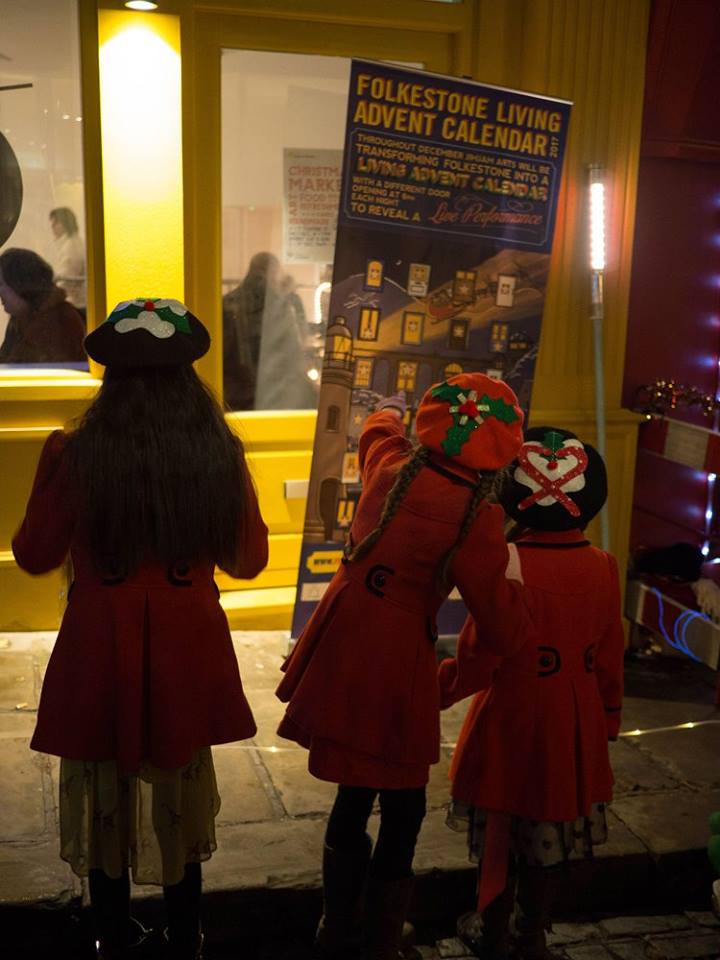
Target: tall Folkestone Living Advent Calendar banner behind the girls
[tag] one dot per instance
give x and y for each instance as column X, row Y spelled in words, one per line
column 447, row 207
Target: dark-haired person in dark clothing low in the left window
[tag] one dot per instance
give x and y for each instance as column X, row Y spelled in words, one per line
column 43, row 327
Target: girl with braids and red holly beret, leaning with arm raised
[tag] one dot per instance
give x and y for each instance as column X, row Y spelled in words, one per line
column 361, row 684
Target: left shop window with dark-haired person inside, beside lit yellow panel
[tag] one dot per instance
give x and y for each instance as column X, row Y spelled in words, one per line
column 42, row 229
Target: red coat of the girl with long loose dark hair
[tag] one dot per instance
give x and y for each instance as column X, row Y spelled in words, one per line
column 143, row 669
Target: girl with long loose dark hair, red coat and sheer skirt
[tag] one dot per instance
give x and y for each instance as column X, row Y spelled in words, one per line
column 146, row 494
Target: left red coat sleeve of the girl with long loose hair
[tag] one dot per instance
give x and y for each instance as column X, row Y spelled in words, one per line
column 42, row 541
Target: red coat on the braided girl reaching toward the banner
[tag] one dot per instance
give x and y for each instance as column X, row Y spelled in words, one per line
column 361, row 683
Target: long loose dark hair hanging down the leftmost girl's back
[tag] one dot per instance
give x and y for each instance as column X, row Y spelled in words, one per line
column 159, row 473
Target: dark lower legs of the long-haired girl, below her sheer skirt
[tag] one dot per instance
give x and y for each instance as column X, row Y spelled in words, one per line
column 110, row 900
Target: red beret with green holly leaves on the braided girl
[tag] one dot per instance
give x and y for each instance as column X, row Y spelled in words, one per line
column 471, row 419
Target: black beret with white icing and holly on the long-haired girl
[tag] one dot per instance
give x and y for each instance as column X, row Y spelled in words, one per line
column 148, row 332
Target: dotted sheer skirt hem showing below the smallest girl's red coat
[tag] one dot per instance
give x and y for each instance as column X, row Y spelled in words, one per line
column 536, row 843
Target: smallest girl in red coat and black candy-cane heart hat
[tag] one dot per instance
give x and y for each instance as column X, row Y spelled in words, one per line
column 531, row 772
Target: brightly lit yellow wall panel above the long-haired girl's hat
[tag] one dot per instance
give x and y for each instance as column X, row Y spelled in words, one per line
column 141, row 127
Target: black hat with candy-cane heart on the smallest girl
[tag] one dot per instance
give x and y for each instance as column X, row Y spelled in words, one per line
column 557, row 482
